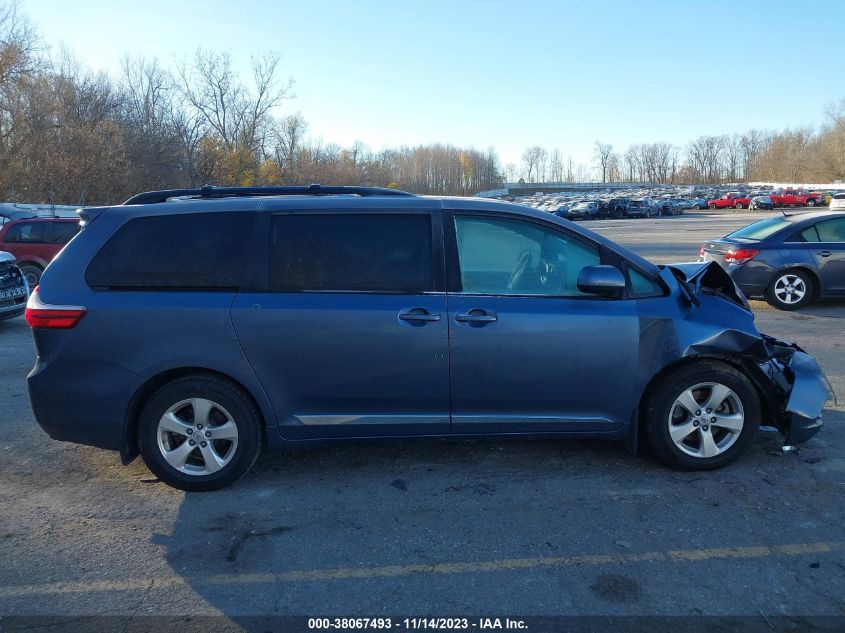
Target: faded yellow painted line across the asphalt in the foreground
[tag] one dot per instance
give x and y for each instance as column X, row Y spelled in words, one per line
column 390, row 571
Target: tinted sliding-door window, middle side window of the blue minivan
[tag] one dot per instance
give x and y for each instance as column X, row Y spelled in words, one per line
column 351, row 252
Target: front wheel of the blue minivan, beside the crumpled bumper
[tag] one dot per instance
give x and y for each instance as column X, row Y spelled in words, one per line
column 737, row 414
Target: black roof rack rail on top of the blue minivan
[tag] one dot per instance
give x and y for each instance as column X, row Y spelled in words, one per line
column 209, row 191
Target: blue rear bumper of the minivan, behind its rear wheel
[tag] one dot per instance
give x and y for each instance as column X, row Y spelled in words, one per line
column 82, row 401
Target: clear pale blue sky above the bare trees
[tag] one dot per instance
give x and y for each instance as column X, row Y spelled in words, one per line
column 508, row 74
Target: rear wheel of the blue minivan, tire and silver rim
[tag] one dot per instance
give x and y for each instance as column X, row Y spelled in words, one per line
column 228, row 410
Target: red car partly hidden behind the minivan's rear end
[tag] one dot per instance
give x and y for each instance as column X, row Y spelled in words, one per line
column 35, row 242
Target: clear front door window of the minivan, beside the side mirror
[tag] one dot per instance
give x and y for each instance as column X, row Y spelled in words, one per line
column 513, row 257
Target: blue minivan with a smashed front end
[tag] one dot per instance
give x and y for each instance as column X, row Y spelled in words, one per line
column 197, row 326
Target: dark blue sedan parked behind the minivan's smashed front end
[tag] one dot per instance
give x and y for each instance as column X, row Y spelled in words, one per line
column 790, row 260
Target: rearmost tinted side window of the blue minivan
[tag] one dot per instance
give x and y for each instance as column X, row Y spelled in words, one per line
column 190, row 251
